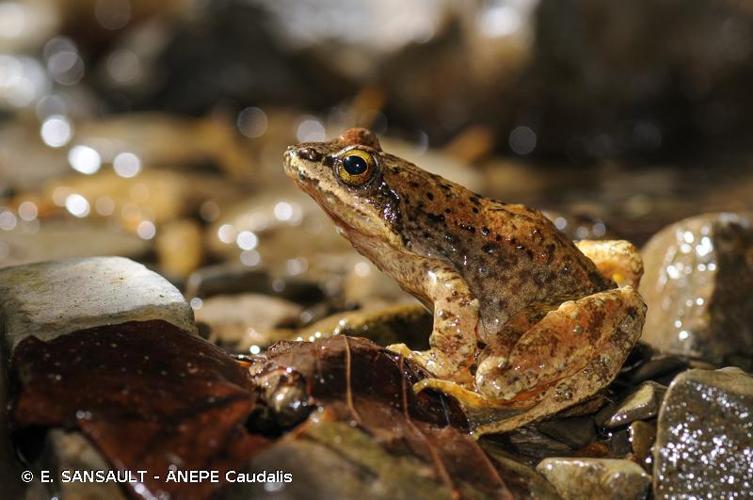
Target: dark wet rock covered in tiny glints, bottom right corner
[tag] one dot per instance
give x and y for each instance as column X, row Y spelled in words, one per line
column 704, row 439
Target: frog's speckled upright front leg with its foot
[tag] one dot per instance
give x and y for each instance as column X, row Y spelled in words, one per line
column 453, row 338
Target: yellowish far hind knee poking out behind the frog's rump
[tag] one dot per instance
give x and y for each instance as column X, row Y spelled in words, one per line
column 617, row 260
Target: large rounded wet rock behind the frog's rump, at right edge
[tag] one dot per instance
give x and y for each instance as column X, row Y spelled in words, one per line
column 699, row 274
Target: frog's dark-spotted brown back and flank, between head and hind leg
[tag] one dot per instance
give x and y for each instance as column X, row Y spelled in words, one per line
column 511, row 256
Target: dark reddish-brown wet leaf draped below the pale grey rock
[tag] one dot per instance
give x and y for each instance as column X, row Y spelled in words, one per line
column 147, row 394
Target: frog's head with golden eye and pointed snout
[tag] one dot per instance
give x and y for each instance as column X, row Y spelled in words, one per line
column 346, row 177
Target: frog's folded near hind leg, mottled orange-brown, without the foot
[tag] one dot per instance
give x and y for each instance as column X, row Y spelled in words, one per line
column 570, row 354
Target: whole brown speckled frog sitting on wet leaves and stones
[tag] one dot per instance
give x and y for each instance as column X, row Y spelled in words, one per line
column 523, row 319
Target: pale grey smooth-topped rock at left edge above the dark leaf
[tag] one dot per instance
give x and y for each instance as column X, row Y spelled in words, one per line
column 51, row 299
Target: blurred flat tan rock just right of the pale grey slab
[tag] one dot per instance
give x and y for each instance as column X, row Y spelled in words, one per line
column 247, row 322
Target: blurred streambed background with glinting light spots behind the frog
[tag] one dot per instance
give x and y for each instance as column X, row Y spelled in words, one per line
column 154, row 130
